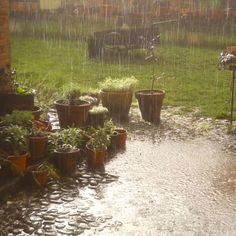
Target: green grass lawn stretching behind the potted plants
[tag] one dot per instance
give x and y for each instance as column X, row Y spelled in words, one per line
column 191, row 77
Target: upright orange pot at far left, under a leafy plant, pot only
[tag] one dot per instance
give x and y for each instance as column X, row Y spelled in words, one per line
column 18, row 164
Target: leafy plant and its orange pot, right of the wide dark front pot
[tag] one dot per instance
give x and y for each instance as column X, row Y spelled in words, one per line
column 97, row 146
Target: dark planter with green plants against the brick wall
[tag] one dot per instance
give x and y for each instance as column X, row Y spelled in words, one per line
column 13, row 96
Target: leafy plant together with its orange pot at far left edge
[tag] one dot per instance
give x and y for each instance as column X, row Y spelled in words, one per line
column 13, row 141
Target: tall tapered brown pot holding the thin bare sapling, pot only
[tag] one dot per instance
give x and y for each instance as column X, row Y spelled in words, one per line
column 150, row 104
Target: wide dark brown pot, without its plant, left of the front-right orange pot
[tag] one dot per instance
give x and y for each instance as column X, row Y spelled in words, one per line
column 66, row 162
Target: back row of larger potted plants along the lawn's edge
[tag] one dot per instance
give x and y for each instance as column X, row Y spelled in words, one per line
column 116, row 96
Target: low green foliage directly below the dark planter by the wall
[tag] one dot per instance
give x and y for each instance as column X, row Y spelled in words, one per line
column 21, row 118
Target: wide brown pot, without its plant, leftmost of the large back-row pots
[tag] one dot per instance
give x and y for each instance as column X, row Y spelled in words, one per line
column 72, row 115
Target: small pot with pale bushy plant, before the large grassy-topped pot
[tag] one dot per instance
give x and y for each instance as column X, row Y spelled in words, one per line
column 96, row 117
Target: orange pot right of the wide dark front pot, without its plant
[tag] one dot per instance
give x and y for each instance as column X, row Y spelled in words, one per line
column 95, row 157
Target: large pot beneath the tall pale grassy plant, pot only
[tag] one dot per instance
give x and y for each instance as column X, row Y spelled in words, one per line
column 117, row 103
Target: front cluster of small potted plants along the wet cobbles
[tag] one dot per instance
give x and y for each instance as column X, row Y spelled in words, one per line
column 22, row 143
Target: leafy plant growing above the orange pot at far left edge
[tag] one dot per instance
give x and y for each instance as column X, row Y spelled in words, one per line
column 13, row 139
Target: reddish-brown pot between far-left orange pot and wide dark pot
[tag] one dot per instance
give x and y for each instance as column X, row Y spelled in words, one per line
column 37, row 146
